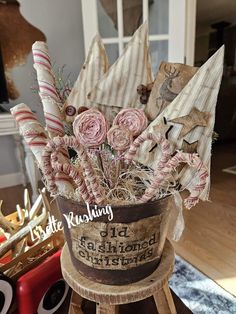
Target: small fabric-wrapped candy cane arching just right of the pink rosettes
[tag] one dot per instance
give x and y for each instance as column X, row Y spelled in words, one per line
column 159, row 139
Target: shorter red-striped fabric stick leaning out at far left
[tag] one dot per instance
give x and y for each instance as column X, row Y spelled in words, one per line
column 36, row 138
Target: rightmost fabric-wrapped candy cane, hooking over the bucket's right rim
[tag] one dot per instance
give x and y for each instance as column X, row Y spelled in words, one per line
column 193, row 161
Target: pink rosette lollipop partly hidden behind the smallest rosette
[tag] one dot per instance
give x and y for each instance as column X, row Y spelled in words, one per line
column 132, row 119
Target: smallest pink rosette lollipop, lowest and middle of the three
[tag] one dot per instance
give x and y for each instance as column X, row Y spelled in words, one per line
column 119, row 138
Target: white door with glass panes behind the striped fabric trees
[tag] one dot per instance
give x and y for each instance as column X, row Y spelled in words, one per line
column 171, row 24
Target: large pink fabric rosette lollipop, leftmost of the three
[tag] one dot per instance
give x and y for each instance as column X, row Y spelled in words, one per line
column 90, row 128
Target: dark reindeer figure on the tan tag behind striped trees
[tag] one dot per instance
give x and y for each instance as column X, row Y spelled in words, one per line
column 166, row 95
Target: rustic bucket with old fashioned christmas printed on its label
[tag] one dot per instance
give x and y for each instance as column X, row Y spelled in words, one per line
column 122, row 250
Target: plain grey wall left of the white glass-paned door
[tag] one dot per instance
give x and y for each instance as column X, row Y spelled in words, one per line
column 61, row 22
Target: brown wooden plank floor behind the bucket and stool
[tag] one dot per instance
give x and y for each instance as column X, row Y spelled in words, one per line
column 209, row 239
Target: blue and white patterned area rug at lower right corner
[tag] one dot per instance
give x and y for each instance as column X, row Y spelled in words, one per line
column 200, row 294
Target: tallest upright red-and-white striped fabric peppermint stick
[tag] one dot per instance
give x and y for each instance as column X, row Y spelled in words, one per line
column 48, row 92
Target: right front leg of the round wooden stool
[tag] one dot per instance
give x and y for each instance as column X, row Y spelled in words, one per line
column 164, row 301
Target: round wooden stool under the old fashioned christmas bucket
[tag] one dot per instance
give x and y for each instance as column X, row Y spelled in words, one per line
column 109, row 297
